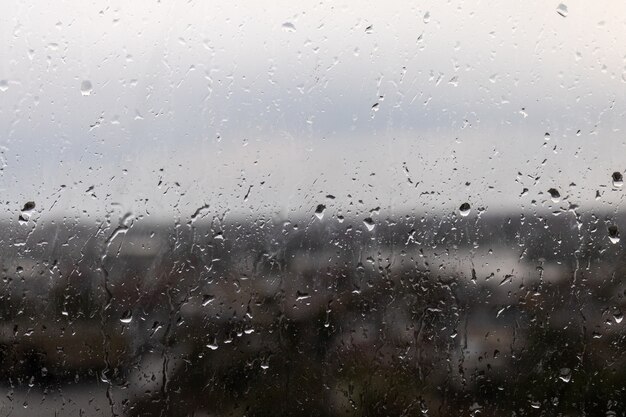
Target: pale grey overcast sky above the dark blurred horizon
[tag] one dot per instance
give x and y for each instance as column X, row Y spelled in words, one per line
column 274, row 101
